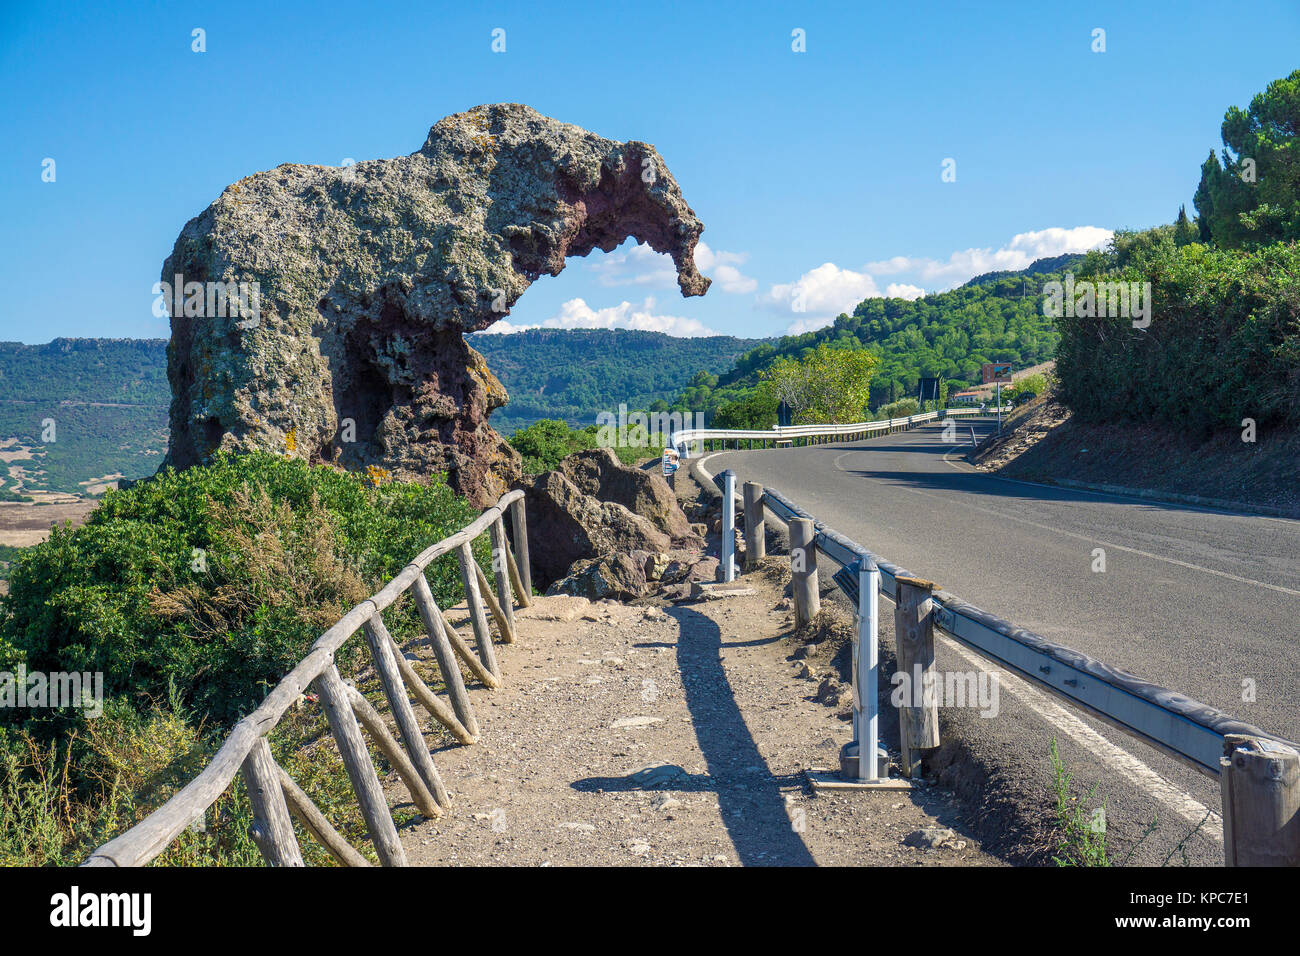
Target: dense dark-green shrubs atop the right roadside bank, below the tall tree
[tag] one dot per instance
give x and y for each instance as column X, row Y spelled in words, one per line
column 1224, row 341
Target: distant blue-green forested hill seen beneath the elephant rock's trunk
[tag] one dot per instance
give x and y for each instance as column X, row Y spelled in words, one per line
column 577, row 374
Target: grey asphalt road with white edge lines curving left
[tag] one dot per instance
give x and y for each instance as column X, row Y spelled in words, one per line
column 1206, row 603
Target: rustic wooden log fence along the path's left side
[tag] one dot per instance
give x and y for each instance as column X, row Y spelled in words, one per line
column 275, row 798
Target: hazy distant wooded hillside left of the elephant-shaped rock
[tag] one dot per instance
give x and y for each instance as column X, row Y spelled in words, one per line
column 81, row 409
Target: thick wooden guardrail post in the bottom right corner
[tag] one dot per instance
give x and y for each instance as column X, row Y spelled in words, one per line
column 1262, row 803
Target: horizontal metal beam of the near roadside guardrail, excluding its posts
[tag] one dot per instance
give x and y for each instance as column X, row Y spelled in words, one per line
column 1177, row 725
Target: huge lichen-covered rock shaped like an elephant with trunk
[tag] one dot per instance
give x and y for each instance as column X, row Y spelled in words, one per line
column 367, row 276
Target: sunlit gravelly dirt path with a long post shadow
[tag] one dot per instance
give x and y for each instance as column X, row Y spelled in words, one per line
column 664, row 737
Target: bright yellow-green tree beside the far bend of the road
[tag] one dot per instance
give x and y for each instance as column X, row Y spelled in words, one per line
column 825, row 384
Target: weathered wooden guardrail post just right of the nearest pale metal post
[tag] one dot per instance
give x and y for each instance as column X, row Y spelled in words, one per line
column 915, row 643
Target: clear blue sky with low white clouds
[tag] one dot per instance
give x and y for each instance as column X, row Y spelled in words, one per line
column 818, row 175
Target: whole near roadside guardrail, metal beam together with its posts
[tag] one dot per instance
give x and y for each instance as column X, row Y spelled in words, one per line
column 1259, row 773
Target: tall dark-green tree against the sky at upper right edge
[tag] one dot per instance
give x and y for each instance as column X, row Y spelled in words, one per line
column 1253, row 198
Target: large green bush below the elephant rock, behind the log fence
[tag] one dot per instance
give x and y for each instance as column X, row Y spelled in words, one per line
column 287, row 548
